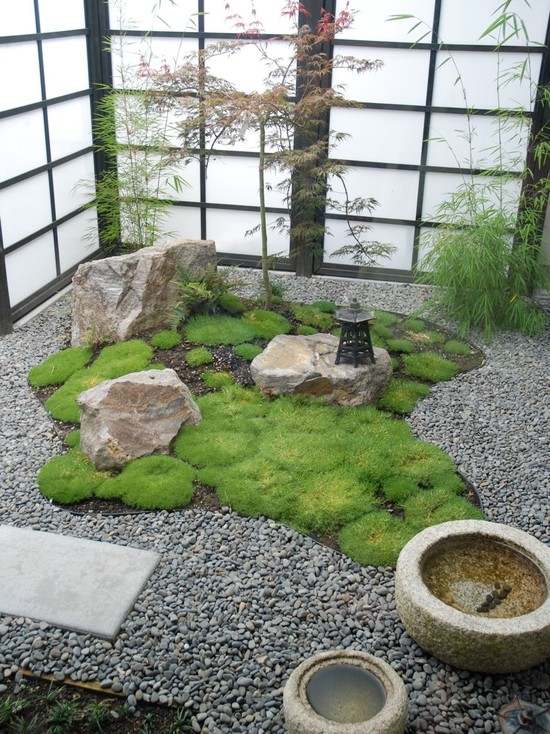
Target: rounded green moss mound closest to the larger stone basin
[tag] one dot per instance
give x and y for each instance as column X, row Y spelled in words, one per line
column 376, row 539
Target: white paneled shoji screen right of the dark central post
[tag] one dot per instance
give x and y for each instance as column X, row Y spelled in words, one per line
column 406, row 147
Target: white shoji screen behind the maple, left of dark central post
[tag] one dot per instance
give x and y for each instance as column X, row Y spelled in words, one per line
column 220, row 200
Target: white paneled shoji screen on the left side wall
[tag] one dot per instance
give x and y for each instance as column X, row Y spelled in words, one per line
column 46, row 159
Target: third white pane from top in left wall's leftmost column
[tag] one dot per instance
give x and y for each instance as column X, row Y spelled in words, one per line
column 22, row 144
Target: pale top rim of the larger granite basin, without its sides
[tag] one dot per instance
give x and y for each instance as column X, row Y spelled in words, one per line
column 422, row 544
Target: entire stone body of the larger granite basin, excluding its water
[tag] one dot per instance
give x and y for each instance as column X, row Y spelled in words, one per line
column 468, row 641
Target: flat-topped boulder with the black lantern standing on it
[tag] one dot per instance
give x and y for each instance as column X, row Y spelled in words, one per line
column 306, row 364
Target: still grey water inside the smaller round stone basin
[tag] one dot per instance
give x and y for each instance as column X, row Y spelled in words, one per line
column 346, row 694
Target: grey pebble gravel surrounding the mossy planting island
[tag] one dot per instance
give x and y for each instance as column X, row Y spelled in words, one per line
column 236, row 603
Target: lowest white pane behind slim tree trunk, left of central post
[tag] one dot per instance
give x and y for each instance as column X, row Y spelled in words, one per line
column 227, row 228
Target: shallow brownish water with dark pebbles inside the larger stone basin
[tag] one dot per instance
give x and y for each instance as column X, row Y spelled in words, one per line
column 484, row 577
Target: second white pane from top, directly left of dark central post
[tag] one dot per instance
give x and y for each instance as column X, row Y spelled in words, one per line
column 246, row 69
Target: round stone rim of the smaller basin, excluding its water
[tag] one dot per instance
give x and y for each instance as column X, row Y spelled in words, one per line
column 301, row 717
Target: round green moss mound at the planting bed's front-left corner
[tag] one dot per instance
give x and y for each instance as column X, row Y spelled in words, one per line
column 69, row 478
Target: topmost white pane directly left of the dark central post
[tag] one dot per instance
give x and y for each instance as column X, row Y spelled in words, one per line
column 218, row 19
